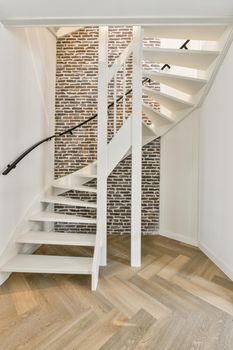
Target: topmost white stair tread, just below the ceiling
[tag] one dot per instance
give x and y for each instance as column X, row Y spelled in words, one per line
column 195, row 32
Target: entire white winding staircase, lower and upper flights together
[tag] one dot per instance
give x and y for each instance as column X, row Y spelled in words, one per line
column 179, row 94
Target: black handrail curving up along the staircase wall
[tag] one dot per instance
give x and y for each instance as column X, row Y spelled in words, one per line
column 13, row 165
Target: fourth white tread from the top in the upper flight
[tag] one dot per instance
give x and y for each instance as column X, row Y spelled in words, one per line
column 169, row 101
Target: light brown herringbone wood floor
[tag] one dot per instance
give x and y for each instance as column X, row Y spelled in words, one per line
column 177, row 300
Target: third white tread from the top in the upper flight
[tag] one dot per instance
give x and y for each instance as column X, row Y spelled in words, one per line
column 188, row 85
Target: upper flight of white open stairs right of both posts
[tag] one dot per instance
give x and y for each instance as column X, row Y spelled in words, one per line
column 184, row 86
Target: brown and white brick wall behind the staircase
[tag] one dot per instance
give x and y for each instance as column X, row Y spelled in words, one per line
column 76, row 101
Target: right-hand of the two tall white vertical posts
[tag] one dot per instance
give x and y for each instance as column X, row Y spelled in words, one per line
column 136, row 149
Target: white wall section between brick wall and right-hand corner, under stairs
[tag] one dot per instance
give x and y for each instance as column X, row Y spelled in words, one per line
column 179, row 185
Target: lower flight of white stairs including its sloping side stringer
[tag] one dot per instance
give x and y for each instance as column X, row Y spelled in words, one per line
column 78, row 182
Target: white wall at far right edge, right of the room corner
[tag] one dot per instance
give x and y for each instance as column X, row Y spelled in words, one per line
column 216, row 169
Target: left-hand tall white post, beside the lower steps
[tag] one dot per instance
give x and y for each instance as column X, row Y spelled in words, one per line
column 102, row 143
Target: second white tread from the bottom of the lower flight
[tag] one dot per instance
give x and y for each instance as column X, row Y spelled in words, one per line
column 57, row 238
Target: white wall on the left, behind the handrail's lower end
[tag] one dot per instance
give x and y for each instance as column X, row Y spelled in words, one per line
column 27, row 92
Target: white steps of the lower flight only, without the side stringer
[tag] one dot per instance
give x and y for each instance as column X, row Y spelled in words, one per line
column 33, row 263
